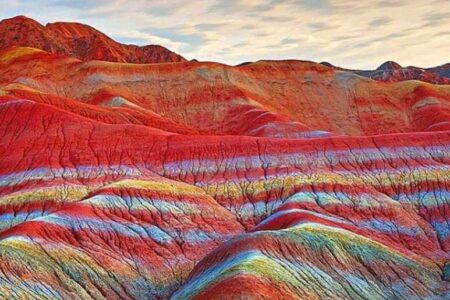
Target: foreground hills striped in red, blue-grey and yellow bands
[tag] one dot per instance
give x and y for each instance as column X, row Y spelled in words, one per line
column 124, row 211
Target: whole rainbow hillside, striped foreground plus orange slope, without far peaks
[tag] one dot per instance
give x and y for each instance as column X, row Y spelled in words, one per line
column 275, row 179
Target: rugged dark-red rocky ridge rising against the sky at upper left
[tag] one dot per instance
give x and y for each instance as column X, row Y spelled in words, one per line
column 78, row 40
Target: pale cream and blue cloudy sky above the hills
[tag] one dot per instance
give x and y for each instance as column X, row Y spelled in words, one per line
column 358, row 34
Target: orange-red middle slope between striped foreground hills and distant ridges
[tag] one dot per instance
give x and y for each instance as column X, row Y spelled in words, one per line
column 268, row 98
